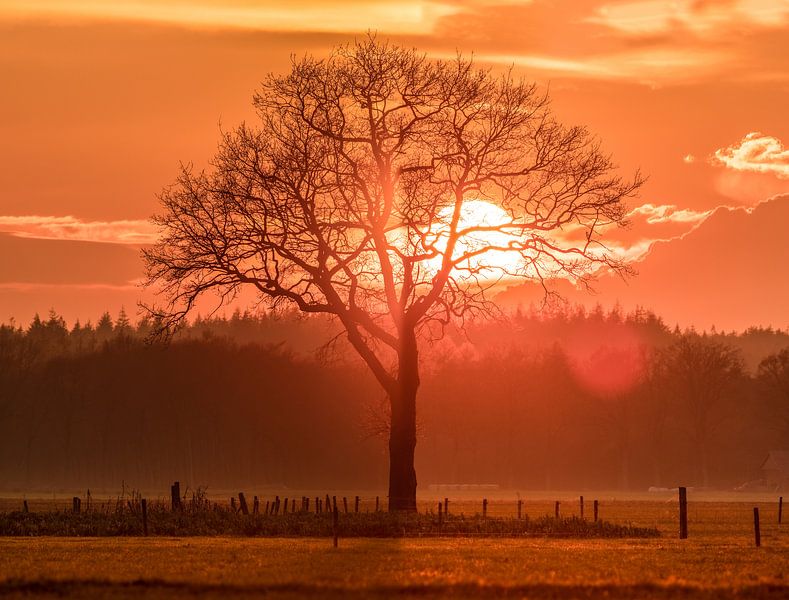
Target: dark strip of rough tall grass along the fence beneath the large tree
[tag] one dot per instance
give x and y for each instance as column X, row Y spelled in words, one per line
column 202, row 517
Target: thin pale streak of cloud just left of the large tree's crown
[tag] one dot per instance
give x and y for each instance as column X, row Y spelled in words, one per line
column 73, row 229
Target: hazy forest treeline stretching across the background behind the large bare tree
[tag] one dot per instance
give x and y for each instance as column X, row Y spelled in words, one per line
column 572, row 399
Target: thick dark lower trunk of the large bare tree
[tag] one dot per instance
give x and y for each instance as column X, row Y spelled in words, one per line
column 402, row 432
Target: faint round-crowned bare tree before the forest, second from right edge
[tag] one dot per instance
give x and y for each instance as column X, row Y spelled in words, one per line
column 701, row 374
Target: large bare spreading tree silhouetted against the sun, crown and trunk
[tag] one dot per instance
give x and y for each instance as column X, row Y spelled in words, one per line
column 351, row 196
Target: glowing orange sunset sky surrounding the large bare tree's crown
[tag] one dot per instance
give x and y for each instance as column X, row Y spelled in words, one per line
column 101, row 100
